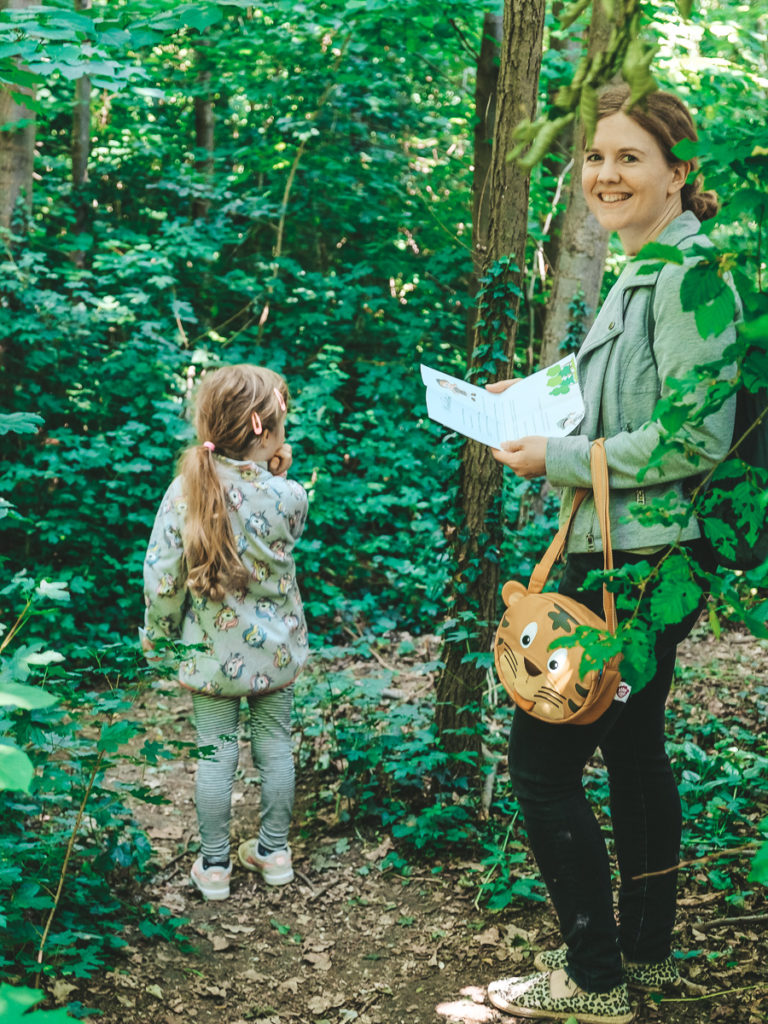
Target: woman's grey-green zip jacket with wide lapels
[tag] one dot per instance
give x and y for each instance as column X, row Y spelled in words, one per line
column 622, row 381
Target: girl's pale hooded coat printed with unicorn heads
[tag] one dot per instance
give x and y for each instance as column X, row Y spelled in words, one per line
column 254, row 642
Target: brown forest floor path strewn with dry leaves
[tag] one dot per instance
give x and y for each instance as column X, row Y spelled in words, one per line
column 347, row 942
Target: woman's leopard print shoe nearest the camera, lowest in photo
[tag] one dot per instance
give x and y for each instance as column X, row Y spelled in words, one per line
column 556, row 997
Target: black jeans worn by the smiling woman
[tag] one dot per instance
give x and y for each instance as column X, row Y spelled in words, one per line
column 546, row 764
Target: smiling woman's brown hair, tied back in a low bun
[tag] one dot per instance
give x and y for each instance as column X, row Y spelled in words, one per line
column 669, row 121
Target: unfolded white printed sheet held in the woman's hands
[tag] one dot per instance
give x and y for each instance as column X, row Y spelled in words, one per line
column 548, row 404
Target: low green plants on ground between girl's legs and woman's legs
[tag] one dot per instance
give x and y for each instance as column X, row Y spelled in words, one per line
column 377, row 758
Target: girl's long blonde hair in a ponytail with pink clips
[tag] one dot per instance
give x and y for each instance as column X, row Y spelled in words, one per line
column 225, row 406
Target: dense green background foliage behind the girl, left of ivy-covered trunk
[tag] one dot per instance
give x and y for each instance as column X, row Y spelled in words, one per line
column 362, row 286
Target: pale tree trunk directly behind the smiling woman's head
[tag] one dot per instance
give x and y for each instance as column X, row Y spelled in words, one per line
column 581, row 255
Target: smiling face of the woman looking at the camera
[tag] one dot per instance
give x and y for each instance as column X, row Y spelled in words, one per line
column 628, row 185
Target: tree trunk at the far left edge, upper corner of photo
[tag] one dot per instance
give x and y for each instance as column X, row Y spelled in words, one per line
column 17, row 151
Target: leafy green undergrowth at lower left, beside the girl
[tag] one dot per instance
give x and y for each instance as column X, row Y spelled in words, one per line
column 71, row 851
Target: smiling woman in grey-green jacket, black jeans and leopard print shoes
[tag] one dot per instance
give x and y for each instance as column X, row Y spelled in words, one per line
column 636, row 187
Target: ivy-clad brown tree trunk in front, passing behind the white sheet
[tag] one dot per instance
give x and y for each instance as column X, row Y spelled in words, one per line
column 479, row 530
